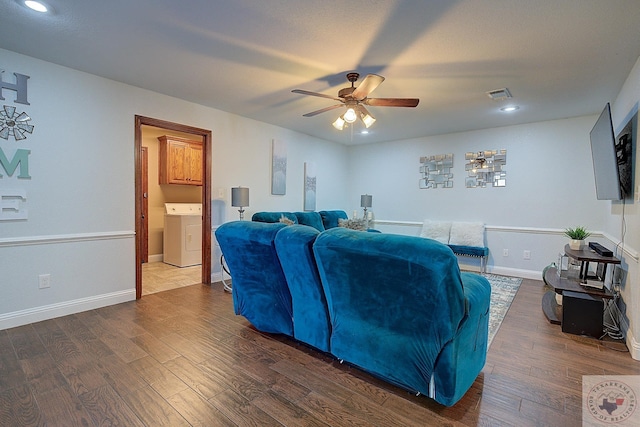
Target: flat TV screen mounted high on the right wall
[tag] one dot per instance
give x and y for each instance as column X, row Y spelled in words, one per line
column 605, row 164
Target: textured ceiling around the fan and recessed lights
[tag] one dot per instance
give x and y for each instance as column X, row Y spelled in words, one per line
column 559, row 58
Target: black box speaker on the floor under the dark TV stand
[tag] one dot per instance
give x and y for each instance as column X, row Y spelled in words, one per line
column 582, row 314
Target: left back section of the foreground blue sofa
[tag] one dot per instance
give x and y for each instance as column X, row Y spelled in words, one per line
column 260, row 290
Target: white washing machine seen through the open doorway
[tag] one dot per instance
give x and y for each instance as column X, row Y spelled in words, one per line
column 182, row 240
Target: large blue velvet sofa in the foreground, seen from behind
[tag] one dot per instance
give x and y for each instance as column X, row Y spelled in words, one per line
column 395, row 306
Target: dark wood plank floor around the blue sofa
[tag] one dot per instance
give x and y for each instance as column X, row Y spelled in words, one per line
column 181, row 357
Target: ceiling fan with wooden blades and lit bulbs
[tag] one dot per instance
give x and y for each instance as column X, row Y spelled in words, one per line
column 355, row 99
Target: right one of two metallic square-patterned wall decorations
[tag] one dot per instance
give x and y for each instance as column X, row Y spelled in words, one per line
column 486, row 168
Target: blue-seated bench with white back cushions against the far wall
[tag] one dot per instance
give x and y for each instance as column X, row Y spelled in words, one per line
column 464, row 238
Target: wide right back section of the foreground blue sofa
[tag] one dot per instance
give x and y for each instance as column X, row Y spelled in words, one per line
column 394, row 301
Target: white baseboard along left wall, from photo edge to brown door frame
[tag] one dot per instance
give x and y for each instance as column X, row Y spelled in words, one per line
column 25, row 317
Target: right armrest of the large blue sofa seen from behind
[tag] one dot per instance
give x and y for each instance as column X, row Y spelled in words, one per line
column 464, row 357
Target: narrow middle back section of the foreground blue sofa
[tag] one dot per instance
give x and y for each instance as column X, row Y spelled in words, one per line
column 294, row 245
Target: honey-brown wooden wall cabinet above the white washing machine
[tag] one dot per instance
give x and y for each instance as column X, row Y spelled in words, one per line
column 180, row 161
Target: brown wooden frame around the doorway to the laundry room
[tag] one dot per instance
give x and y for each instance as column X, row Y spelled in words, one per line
column 206, row 192
